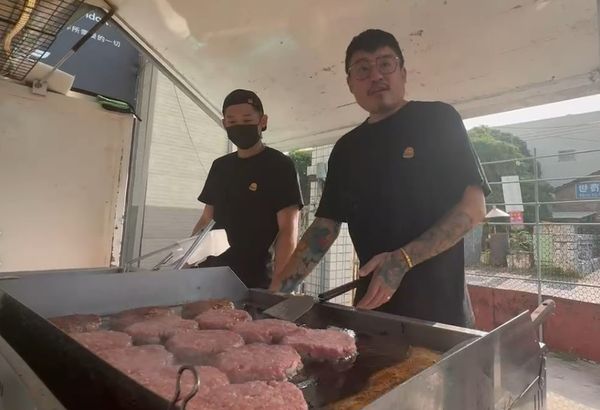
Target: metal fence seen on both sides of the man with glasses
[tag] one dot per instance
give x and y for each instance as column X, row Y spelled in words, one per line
column 530, row 263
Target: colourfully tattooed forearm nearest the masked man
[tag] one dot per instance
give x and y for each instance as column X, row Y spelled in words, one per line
column 314, row 244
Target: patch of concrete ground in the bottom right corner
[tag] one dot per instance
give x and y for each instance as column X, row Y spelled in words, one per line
column 573, row 384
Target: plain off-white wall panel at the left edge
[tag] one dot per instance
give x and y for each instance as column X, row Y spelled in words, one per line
column 63, row 164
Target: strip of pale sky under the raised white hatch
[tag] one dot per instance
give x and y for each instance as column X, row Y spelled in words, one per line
column 540, row 112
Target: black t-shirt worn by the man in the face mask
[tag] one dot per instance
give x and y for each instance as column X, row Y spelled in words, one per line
column 246, row 194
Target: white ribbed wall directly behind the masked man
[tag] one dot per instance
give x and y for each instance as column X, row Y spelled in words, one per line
column 184, row 144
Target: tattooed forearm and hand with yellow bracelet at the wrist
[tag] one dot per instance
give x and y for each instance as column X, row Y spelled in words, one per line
column 390, row 267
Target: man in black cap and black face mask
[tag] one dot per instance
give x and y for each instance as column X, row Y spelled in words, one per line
column 253, row 194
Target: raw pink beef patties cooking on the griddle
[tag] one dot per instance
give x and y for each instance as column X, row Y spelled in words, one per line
column 242, row 363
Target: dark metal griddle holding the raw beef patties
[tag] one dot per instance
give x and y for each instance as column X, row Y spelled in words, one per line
column 80, row 379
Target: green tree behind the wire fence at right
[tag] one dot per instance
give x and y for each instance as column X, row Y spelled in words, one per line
column 494, row 145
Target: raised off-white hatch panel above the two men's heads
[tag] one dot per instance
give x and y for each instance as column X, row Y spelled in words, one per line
column 483, row 56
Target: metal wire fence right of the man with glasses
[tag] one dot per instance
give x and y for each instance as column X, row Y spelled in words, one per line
column 548, row 256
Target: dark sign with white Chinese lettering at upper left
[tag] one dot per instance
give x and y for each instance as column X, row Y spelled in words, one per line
column 106, row 64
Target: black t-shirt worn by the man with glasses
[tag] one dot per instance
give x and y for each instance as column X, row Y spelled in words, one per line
column 394, row 179
